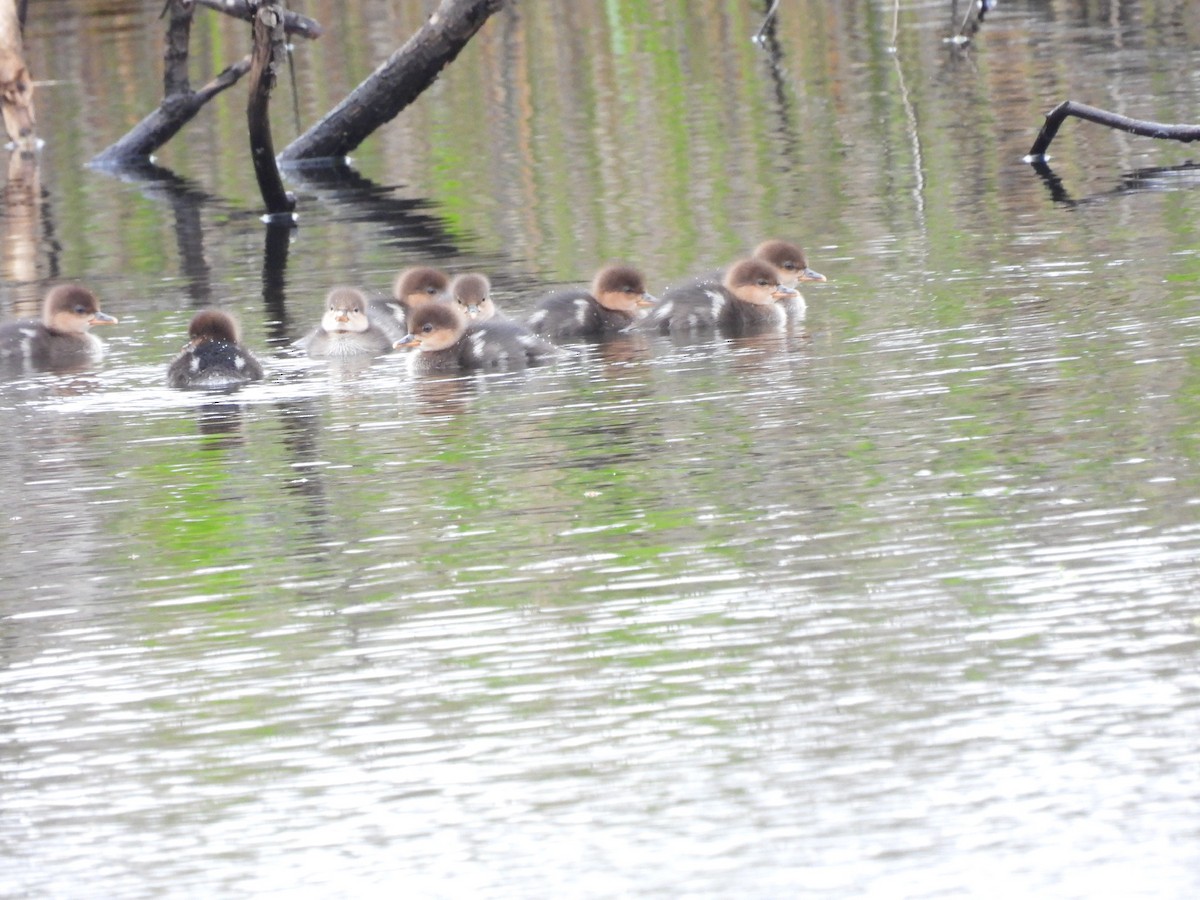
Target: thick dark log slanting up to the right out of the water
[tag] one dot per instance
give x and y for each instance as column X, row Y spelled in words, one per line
column 394, row 85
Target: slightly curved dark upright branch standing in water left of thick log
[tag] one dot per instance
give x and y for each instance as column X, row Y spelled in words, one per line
column 269, row 55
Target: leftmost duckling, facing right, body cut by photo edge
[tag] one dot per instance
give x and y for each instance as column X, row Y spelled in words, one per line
column 61, row 339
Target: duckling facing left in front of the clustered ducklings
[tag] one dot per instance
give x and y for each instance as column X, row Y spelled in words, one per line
column 448, row 343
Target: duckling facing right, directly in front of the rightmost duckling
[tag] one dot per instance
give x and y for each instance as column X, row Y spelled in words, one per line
column 746, row 301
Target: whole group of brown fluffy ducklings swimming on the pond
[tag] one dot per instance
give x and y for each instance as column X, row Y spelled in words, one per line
column 453, row 323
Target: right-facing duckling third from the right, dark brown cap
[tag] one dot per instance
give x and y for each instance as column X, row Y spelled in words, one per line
column 611, row 305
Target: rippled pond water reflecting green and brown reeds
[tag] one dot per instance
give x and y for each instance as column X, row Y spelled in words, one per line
column 898, row 603
